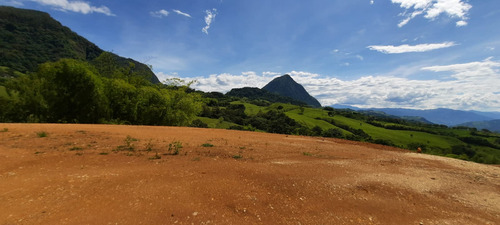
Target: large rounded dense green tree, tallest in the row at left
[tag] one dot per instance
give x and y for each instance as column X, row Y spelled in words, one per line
column 73, row 92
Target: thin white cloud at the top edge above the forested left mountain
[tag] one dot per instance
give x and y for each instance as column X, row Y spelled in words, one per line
column 75, row 6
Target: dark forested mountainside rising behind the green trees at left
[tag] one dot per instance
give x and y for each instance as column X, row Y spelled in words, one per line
column 29, row 38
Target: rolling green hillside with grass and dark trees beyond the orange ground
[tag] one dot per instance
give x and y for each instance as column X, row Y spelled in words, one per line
column 460, row 142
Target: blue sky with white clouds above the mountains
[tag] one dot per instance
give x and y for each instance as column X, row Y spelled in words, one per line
column 418, row 54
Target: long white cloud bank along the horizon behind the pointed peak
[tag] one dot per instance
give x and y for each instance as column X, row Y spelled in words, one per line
column 468, row 86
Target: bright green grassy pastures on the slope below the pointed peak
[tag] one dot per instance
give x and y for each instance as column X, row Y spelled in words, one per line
column 434, row 139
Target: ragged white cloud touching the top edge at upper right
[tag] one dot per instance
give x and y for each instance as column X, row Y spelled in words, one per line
column 433, row 9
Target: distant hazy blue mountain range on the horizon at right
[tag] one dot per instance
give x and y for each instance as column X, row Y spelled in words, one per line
column 449, row 117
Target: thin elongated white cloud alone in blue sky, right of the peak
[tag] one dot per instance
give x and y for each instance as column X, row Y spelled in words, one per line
column 391, row 49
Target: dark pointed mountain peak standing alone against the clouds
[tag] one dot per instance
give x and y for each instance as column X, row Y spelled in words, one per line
column 286, row 86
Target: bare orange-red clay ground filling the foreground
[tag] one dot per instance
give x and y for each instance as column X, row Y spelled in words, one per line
column 94, row 174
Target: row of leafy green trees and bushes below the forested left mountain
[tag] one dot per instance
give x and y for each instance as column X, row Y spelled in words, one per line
column 71, row 91
